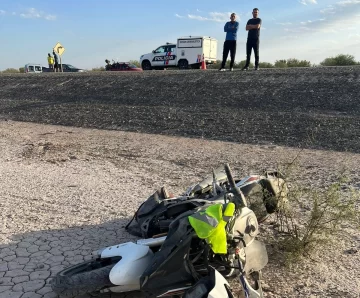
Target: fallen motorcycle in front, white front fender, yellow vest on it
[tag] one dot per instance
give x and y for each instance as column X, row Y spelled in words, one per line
column 178, row 263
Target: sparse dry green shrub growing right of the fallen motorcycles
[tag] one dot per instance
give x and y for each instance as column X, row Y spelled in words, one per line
column 313, row 218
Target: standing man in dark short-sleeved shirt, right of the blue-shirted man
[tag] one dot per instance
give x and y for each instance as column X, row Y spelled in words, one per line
column 253, row 27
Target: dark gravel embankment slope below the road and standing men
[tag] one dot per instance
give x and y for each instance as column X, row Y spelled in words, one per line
column 315, row 108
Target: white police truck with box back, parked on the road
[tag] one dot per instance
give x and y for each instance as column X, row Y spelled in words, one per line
column 188, row 52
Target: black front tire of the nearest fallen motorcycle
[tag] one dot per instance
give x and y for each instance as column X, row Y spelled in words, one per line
column 79, row 280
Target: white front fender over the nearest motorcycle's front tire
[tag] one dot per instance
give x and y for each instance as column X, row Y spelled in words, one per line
column 127, row 272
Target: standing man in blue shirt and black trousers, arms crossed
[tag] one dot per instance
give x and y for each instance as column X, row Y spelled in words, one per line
column 230, row 41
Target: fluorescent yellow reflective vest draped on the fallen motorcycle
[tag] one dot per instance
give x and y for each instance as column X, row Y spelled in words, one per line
column 210, row 225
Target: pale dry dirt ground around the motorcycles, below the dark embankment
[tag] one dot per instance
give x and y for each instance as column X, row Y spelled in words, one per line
column 66, row 191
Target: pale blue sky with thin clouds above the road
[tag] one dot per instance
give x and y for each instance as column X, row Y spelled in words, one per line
column 93, row 30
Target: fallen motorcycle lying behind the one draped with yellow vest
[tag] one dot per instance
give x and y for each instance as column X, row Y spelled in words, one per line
column 264, row 194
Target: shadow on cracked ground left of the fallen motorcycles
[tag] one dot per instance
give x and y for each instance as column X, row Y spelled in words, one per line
column 30, row 261
